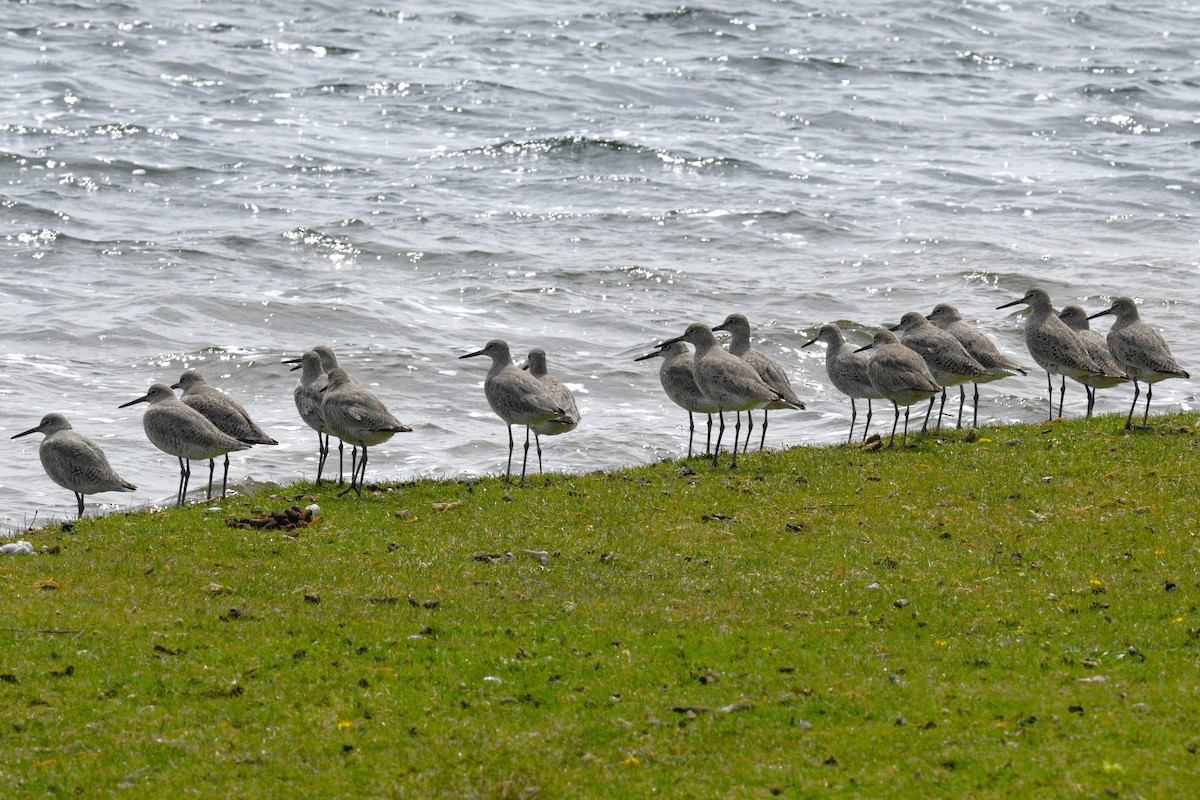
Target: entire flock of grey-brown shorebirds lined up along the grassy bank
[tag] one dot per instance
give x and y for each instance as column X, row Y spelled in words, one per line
column 910, row 363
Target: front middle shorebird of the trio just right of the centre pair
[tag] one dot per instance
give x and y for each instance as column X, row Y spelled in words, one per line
column 728, row 381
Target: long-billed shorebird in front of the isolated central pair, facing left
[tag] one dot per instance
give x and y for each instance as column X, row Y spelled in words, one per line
column 518, row 398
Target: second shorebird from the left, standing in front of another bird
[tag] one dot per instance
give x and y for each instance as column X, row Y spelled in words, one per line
column 182, row 431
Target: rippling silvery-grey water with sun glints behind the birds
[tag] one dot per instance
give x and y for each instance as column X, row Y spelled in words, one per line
column 220, row 187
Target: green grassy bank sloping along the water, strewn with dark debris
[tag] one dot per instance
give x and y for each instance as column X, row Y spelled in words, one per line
column 1012, row 617
